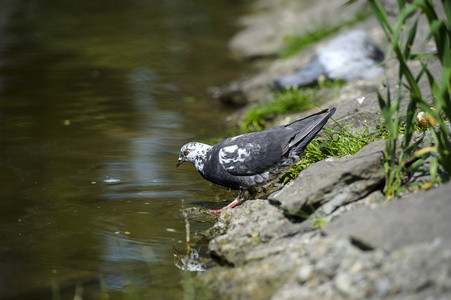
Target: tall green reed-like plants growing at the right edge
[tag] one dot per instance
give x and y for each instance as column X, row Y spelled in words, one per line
column 404, row 158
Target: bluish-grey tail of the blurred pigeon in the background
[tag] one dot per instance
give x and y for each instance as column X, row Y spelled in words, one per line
column 308, row 75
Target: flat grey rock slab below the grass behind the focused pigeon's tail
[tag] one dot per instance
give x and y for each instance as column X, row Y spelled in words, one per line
column 332, row 183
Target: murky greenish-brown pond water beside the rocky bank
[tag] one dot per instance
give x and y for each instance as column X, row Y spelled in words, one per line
column 93, row 112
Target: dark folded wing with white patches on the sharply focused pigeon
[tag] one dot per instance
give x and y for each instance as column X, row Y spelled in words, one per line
column 253, row 153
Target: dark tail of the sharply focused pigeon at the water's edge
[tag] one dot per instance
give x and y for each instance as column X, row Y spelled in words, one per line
column 308, row 128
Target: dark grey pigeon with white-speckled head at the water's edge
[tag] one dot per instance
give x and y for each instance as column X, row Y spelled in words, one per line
column 251, row 160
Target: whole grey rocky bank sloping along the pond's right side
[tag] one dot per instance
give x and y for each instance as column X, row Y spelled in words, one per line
column 371, row 247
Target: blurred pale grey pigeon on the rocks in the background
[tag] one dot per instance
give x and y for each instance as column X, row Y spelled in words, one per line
column 348, row 57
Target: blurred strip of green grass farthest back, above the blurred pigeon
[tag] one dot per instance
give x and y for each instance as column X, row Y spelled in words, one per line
column 297, row 43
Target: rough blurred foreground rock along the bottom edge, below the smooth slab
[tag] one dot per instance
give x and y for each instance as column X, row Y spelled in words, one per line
column 331, row 267
